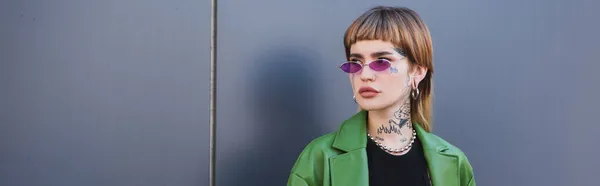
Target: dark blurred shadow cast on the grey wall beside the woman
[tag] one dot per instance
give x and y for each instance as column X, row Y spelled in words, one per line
column 284, row 105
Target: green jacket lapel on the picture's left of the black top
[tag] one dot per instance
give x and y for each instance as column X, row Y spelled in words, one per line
column 351, row 168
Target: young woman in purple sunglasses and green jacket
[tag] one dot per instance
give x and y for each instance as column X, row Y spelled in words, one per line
column 388, row 142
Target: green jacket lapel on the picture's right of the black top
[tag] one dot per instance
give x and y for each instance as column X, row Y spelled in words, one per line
column 442, row 164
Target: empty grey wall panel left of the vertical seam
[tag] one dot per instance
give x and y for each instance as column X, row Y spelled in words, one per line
column 104, row 92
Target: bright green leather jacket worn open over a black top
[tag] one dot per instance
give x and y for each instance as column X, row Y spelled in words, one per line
column 340, row 159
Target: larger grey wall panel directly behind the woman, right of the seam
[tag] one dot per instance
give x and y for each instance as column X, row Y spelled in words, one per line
column 515, row 85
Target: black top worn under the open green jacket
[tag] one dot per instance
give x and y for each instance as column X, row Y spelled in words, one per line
column 386, row 169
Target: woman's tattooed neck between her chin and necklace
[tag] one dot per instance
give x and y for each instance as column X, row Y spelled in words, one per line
column 391, row 126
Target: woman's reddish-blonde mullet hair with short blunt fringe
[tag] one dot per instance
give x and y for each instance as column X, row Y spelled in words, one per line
column 405, row 30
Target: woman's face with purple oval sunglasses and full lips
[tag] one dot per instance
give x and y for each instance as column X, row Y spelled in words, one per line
column 376, row 90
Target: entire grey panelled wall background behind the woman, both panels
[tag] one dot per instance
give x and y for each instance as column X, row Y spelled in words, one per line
column 116, row 92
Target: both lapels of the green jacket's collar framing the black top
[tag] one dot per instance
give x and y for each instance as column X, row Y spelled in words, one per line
column 350, row 168
